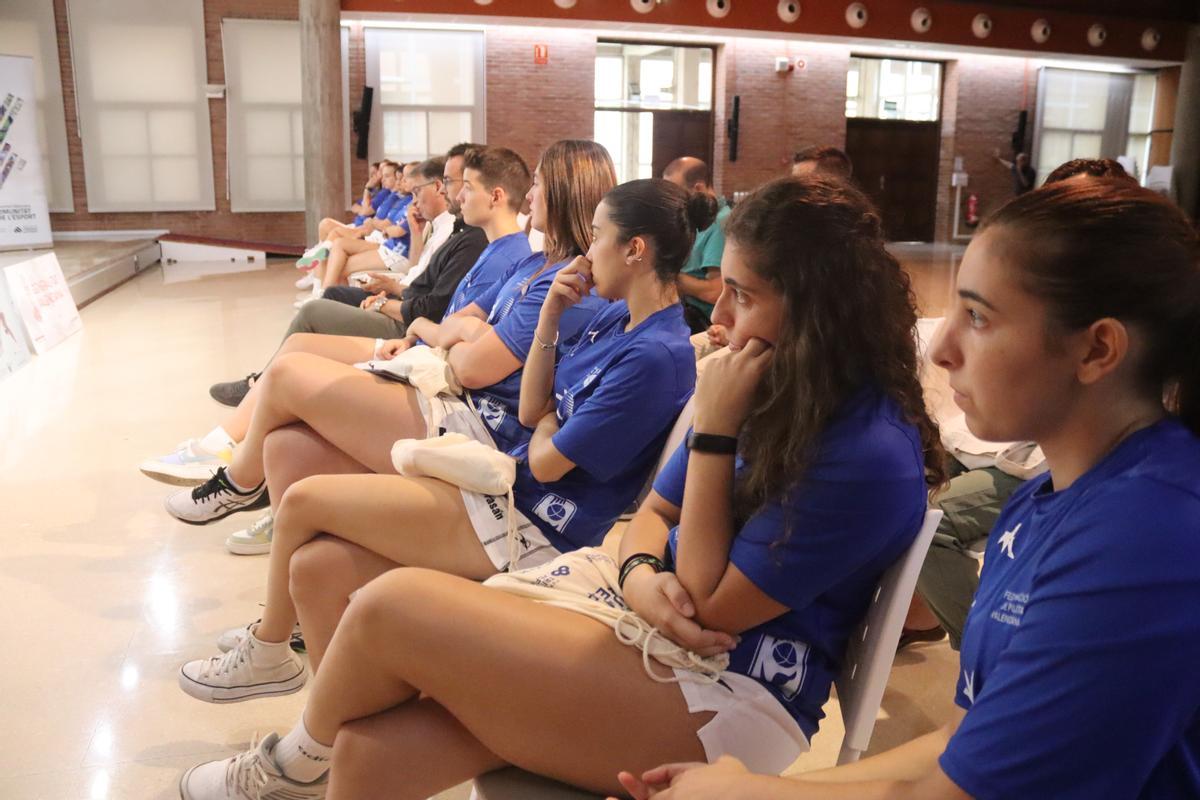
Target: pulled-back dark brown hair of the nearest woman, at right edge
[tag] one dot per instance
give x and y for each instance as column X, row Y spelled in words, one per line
column 1107, row 248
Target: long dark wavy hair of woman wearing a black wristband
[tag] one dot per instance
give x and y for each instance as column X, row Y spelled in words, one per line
column 850, row 322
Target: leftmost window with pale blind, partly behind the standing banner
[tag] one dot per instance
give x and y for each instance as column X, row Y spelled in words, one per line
column 27, row 28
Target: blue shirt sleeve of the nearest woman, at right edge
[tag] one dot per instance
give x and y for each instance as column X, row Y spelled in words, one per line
column 1102, row 671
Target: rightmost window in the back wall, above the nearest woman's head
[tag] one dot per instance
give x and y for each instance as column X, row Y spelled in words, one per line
column 1085, row 115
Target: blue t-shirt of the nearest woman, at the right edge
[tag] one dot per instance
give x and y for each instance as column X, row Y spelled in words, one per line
column 1081, row 664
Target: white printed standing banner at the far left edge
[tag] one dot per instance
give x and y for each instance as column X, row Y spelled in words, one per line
column 25, row 216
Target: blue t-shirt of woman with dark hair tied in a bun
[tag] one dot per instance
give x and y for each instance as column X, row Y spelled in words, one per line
column 617, row 396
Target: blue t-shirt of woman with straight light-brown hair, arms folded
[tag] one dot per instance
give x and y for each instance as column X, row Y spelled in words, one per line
column 515, row 309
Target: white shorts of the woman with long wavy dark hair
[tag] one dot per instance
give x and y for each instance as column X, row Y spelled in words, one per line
column 751, row 724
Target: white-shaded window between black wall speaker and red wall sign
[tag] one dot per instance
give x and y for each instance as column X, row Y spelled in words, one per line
column 429, row 92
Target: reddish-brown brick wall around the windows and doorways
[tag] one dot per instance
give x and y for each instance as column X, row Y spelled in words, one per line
column 530, row 107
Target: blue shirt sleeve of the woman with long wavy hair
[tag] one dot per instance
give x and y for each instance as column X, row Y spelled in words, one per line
column 829, row 527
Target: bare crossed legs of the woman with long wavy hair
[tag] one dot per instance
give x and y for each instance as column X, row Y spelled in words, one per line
column 537, row 687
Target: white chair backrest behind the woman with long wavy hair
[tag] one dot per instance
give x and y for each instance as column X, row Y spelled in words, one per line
column 873, row 647
